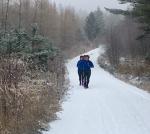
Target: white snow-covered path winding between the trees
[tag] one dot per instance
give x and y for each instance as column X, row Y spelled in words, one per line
column 109, row 106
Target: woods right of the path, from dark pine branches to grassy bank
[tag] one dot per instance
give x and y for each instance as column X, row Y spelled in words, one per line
column 127, row 44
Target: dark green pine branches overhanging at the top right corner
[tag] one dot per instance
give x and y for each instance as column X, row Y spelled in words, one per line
column 140, row 10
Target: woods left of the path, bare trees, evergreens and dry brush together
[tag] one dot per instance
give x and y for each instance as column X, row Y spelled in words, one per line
column 35, row 38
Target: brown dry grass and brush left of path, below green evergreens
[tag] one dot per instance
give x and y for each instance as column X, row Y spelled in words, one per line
column 30, row 99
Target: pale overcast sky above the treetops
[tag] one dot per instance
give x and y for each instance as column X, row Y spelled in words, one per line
column 89, row 5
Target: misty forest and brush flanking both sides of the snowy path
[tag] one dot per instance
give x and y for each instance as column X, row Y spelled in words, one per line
column 37, row 37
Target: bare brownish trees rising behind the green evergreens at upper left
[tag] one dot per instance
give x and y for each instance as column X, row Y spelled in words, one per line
column 61, row 25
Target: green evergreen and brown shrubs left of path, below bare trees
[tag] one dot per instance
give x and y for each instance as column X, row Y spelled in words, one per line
column 32, row 81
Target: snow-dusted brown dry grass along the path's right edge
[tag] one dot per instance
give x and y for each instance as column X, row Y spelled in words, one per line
column 130, row 68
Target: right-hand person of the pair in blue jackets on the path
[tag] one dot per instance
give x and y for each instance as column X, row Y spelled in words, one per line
column 87, row 70
